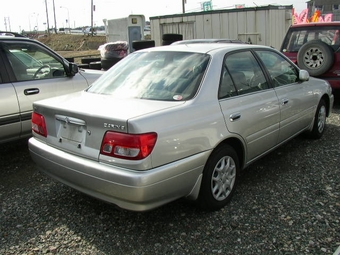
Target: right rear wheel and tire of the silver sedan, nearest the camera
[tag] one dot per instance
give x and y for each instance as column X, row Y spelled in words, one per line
column 220, row 176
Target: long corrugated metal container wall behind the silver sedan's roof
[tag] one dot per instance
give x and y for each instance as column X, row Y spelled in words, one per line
column 261, row 25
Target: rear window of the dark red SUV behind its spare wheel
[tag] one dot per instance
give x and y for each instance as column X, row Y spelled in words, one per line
column 296, row 37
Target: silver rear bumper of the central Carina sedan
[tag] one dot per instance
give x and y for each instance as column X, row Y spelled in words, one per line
column 128, row 189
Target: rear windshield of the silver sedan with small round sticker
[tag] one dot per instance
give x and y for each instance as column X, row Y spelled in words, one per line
column 161, row 75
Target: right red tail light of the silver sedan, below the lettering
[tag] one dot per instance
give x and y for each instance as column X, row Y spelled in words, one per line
column 128, row 146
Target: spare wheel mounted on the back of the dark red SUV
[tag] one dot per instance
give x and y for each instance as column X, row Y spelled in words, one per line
column 316, row 57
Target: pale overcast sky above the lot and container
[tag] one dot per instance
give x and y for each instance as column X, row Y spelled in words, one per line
column 18, row 15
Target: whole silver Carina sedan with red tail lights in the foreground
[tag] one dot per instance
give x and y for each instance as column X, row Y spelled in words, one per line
column 177, row 121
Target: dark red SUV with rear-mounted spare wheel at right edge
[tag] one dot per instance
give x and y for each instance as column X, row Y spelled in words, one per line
column 315, row 47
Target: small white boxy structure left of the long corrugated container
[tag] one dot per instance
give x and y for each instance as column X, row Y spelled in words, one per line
column 128, row 29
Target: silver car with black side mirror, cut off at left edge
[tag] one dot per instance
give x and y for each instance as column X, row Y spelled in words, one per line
column 31, row 71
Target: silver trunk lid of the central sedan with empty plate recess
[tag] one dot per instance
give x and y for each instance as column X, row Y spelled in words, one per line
column 77, row 123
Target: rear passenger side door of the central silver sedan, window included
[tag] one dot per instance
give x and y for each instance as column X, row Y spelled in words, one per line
column 250, row 107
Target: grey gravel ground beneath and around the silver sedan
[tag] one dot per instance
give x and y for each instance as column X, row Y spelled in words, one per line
column 286, row 203
